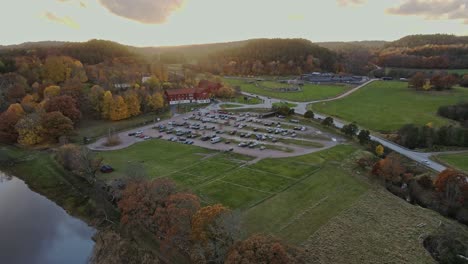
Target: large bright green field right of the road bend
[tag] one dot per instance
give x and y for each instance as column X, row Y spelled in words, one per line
column 388, row 105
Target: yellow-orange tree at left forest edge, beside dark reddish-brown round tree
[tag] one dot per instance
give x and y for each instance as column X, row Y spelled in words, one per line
column 30, row 130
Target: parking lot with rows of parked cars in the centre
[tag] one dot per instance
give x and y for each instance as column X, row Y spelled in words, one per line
column 244, row 133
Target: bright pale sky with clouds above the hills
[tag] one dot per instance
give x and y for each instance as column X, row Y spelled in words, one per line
column 182, row 22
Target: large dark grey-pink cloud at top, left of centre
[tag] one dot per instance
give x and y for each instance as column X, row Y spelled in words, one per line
column 144, row 11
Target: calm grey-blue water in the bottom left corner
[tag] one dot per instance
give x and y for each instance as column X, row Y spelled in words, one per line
column 36, row 230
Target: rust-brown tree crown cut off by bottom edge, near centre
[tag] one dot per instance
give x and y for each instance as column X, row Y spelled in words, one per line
column 264, row 249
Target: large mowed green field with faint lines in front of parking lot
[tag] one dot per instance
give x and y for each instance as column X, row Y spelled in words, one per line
column 289, row 197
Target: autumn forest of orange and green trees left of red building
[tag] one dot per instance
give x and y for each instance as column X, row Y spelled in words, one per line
column 46, row 91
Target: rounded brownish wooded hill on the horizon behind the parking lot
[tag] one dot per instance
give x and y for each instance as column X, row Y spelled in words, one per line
column 270, row 57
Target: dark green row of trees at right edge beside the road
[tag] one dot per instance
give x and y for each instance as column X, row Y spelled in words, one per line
column 412, row 136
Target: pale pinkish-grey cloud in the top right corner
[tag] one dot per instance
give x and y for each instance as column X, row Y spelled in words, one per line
column 433, row 9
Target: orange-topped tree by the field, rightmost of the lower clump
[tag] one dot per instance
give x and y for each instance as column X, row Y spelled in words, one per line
column 214, row 230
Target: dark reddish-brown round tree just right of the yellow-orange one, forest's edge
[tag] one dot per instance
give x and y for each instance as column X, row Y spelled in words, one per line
column 55, row 125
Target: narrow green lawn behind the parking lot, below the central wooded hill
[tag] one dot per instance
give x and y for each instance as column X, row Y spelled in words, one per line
column 309, row 92
